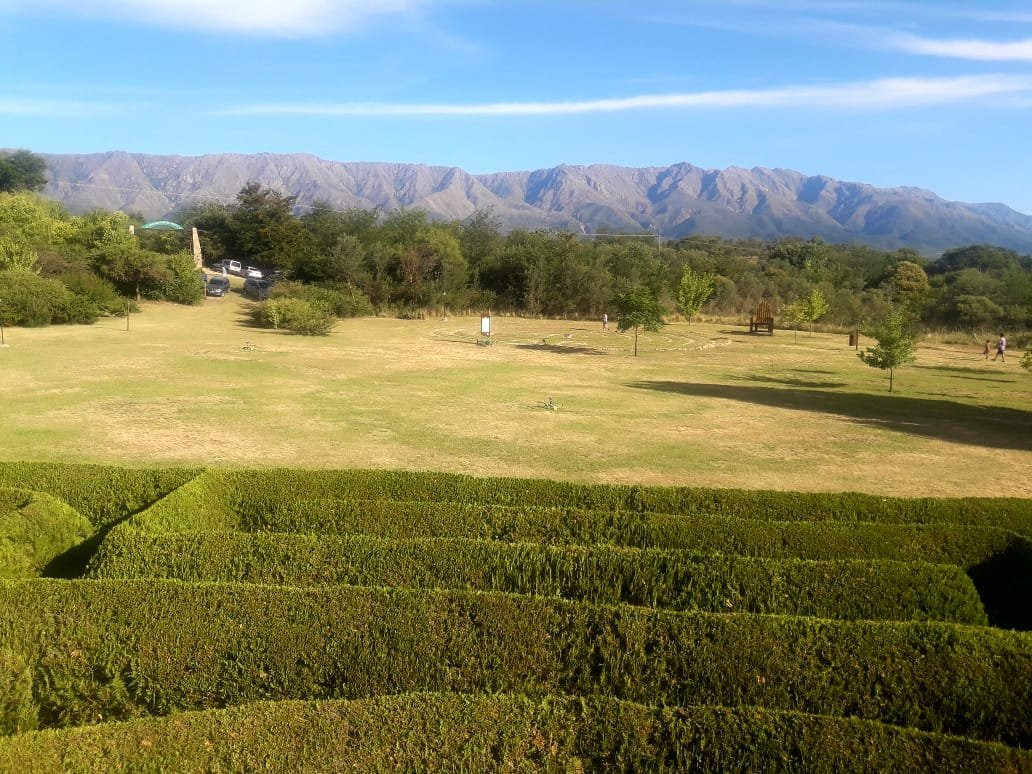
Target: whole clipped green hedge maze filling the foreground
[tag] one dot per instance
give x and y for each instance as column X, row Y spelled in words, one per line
column 185, row 620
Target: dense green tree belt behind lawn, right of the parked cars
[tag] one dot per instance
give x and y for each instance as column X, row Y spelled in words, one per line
column 406, row 261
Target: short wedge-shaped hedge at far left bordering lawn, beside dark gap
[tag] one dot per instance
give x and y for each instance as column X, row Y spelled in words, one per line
column 103, row 494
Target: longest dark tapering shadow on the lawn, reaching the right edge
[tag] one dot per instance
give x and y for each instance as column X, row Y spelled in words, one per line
column 946, row 421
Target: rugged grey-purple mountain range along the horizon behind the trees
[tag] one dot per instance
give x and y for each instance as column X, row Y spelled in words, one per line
column 673, row 202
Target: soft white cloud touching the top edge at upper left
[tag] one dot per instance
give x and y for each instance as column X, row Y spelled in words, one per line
column 277, row 18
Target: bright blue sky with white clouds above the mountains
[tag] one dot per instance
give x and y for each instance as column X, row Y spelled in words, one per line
column 933, row 94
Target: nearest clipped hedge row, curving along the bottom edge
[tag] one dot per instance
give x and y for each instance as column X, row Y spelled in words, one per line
column 438, row 732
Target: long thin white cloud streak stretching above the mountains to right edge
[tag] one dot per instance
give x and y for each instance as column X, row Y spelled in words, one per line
column 884, row 93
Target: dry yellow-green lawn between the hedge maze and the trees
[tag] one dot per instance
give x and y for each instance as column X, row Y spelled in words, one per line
column 711, row 405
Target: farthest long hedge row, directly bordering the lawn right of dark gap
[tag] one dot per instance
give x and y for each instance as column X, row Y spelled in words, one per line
column 291, row 491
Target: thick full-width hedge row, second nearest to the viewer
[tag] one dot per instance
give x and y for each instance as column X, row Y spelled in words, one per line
column 117, row 650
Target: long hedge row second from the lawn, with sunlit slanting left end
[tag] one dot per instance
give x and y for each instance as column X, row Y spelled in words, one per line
column 204, row 506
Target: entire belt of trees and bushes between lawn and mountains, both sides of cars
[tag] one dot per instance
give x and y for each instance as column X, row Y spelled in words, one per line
column 406, row 263
